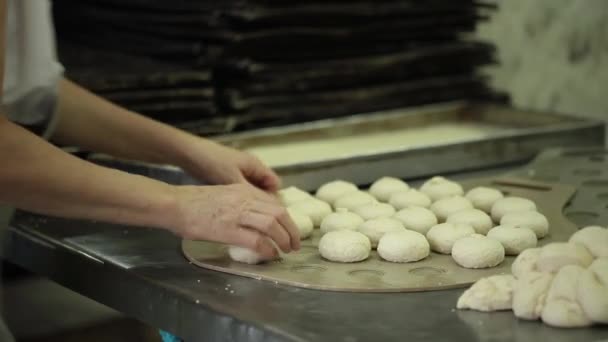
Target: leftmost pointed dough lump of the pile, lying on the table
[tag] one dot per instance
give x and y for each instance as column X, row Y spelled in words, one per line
column 488, row 294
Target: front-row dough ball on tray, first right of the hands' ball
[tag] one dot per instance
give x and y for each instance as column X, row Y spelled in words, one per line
column 344, row 246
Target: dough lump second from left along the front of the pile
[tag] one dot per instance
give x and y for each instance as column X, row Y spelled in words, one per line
column 530, row 294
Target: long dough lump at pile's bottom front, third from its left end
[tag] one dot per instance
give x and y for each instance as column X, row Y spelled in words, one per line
column 562, row 308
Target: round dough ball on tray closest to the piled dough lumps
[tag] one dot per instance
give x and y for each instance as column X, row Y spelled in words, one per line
column 477, row 252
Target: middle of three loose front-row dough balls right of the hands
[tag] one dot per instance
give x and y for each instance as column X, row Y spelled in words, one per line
column 403, row 246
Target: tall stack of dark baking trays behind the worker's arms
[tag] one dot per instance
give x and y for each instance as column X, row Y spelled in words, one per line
column 275, row 62
